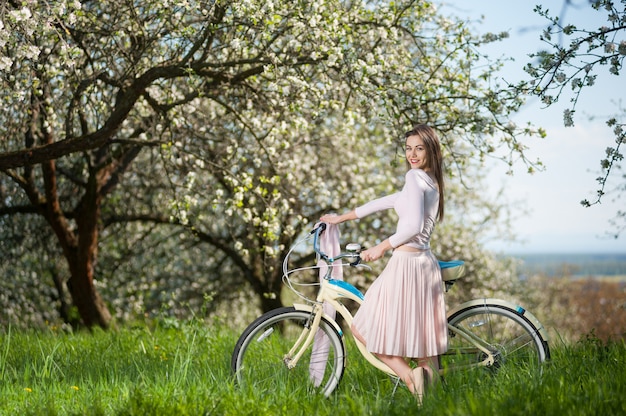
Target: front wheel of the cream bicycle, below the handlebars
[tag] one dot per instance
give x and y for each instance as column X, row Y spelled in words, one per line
column 261, row 353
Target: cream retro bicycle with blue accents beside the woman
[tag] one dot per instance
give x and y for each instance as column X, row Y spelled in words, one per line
column 303, row 346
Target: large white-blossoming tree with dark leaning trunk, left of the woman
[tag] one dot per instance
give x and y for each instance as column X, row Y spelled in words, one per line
column 238, row 121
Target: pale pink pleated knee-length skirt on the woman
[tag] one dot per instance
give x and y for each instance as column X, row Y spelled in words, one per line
column 404, row 311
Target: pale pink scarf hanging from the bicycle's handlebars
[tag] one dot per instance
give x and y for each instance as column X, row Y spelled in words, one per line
column 329, row 244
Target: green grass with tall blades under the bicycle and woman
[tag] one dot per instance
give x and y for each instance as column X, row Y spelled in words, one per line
column 184, row 370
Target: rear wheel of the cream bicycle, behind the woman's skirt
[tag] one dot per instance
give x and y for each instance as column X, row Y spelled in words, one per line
column 505, row 332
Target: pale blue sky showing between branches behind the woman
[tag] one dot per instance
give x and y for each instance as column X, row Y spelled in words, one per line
column 550, row 218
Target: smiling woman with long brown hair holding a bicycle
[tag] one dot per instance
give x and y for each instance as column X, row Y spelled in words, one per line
column 403, row 314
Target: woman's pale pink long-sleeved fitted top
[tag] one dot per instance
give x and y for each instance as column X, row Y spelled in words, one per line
column 416, row 205
